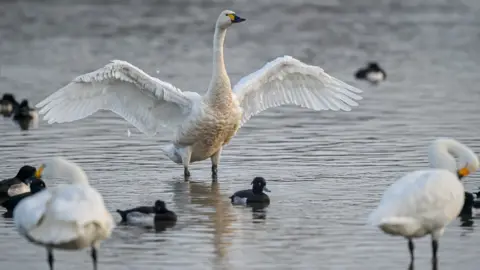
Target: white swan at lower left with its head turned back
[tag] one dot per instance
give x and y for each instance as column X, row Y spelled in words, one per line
column 67, row 217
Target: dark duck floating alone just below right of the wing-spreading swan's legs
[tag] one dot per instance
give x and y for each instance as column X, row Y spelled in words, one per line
column 255, row 195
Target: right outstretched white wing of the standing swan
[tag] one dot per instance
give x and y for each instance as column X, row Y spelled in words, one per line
column 287, row 80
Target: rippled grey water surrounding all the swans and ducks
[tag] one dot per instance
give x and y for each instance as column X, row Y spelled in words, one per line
column 326, row 169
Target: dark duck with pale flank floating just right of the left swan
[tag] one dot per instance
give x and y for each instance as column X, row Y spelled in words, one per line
column 157, row 216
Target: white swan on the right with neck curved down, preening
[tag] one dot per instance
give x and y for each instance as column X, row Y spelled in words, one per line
column 425, row 201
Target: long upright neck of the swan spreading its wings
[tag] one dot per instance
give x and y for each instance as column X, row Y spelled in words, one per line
column 219, row 90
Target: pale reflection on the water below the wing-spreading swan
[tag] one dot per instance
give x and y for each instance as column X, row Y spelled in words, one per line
column 210, row 203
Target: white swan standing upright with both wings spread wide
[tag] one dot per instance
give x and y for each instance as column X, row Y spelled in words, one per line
column 201, row 125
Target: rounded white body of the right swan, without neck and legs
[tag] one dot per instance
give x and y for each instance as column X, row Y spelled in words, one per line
column 420, row 203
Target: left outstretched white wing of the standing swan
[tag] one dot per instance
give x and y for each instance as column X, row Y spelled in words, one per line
column 146, row 102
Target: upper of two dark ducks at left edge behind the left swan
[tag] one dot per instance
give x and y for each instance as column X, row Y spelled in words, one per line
column 18, row 184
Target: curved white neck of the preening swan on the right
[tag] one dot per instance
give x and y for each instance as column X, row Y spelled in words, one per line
column 442, row 154
